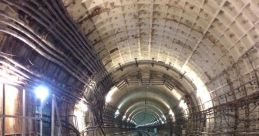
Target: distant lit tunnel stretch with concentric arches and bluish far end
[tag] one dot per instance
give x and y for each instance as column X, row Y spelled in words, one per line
column 154, row 102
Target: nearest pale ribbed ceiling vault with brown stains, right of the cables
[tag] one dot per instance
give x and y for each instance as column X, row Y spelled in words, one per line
column 206, row 35
